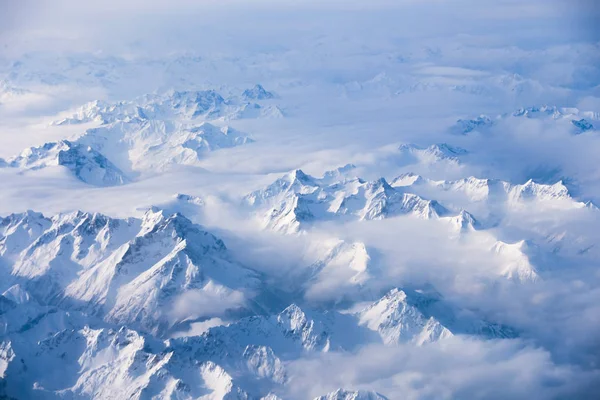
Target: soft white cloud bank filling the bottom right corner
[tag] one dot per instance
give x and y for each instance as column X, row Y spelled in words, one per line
column 454, row 368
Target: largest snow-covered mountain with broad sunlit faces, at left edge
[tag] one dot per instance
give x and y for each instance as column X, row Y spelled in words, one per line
column 140, row 272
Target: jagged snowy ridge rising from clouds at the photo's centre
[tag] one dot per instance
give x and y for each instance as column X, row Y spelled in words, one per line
column 296, row 200
